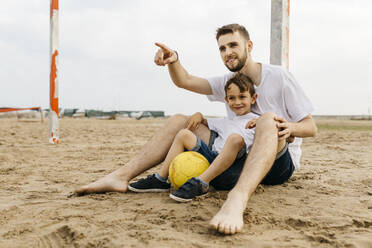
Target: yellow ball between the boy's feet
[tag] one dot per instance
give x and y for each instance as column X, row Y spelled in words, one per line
column 185, row 166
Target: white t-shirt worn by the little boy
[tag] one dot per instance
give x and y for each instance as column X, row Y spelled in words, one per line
column 227, row 126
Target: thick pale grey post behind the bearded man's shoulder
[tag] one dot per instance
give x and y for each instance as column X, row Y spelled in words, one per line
column 279, row 44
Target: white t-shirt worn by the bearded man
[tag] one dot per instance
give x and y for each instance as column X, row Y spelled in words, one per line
column 279, row 93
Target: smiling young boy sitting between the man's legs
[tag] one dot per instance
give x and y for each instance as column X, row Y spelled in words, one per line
column 229, row 141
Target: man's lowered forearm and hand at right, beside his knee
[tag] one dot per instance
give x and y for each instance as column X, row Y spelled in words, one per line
column 304, row 128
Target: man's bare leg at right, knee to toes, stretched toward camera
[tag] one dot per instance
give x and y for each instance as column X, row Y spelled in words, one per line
column 229, row 219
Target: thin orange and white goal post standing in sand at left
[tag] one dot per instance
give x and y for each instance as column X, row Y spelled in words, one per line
column 54, row 111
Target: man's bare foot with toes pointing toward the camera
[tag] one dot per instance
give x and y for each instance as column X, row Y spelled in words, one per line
column 229, row 220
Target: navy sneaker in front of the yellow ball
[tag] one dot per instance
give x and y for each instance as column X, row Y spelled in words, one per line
column 189, row 190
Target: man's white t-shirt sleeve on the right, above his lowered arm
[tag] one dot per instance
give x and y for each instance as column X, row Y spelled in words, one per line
column 298, row 105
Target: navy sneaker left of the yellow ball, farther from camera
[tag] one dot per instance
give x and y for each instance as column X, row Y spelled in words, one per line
column 149, row 184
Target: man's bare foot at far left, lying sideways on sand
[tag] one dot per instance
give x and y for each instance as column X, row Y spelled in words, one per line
column 109, row 183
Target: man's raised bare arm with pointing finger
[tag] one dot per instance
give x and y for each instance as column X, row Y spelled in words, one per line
column 180, row 77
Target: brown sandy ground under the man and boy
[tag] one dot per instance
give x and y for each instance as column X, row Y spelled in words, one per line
column 328, row 203
